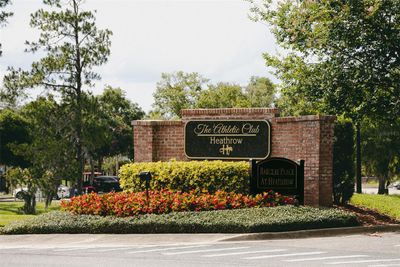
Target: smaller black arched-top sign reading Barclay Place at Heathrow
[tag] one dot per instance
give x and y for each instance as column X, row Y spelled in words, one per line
column 280, row 175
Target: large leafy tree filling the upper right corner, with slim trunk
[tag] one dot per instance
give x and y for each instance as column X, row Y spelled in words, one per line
column 343, row 57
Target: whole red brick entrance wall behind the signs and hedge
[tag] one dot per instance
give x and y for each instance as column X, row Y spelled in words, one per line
column 306, row 137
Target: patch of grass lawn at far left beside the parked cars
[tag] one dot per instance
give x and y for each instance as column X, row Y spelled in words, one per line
column 10, row 211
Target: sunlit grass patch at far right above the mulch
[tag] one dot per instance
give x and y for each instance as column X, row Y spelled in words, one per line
column 384, row 204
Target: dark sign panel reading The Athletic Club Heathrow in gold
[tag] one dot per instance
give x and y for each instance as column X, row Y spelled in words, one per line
column 227, row 139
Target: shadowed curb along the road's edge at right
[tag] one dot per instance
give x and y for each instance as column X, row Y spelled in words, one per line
column 314, row 233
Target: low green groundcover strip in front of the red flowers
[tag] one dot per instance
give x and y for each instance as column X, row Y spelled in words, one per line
column 276, row 219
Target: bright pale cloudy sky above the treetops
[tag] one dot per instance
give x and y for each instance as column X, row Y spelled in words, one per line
column 212, row 37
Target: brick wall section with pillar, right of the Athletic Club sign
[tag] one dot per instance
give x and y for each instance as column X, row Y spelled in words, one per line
column 309, row 138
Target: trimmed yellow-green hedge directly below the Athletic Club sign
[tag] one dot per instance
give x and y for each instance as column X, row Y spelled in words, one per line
column 185, row 176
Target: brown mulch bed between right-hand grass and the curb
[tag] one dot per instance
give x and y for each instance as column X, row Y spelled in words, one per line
column 368, row 217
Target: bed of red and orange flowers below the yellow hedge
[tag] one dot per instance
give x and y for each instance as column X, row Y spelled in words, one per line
column 166, row 201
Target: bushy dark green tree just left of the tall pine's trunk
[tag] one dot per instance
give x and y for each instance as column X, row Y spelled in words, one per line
column 50, row 152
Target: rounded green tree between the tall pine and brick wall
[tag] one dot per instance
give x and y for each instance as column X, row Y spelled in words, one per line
column 107, row 125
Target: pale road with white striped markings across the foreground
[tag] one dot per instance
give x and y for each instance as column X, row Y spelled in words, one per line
column 356, row 250
